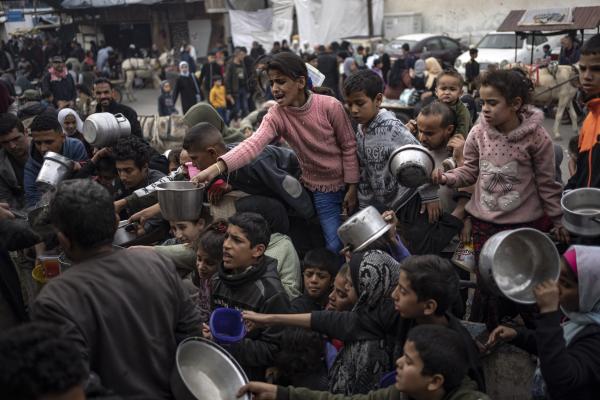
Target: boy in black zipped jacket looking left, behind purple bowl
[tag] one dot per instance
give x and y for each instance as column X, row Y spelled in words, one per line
column 248, row 280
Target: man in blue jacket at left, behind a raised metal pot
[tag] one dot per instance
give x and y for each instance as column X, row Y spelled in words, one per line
column 47, row 135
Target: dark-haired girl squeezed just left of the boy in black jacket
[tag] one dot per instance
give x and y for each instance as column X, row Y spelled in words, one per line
column 209, row 254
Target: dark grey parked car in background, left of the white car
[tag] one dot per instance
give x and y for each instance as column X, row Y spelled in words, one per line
column 425, row 45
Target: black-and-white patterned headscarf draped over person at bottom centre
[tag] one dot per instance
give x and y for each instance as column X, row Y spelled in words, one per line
column 360, row 364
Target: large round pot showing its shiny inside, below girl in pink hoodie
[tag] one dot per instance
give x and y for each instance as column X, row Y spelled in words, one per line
column 513, row 262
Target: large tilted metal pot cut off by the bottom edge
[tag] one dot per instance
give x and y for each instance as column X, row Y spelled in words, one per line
column 205, row 371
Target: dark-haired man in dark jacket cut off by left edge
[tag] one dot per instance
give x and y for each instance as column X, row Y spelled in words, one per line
column 13, row 156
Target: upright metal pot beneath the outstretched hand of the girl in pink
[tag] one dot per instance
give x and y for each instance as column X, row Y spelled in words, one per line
column 180, row 200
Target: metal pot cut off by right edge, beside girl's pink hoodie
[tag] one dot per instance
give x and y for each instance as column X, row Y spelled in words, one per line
column 581, row 211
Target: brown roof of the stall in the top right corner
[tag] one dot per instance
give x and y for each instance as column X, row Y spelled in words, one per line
column 583, row 18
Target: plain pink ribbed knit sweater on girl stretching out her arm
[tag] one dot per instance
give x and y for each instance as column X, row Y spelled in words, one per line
column 321, row 135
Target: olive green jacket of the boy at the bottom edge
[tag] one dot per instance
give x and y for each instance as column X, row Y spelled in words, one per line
column 466, row 391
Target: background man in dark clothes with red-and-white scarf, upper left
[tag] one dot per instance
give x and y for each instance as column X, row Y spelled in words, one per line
column 60, row 84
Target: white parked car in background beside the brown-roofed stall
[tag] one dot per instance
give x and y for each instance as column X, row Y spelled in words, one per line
column 499, row 48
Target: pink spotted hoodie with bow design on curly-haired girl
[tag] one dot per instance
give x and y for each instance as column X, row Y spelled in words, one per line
column 514, row 172
